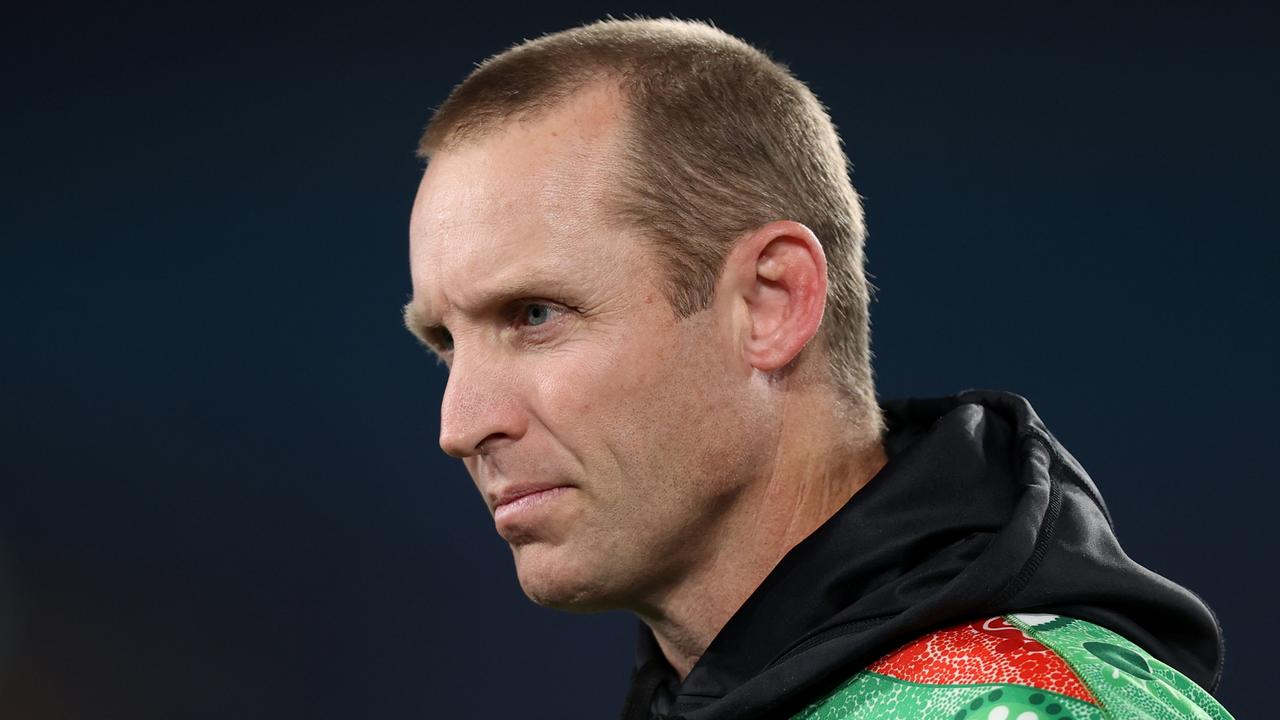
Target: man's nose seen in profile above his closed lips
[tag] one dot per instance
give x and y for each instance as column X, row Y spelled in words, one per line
column 481, row 408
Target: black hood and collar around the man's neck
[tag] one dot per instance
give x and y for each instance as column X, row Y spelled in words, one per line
column 980, row 512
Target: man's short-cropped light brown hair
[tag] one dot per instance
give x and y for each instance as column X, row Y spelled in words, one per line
column 721, row 140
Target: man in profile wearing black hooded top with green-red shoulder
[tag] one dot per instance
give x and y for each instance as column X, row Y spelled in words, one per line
column 638, row 249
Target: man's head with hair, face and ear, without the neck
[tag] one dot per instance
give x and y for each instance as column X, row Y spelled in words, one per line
column 624, row 245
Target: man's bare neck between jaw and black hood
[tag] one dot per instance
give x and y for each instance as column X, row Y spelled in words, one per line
column 819, row 462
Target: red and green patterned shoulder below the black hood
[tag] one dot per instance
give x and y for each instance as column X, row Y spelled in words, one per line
column 1018, row 668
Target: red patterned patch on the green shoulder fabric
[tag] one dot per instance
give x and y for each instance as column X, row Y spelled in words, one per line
column 988, row 651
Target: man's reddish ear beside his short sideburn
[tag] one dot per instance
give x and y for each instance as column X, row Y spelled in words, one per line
column 779, row 275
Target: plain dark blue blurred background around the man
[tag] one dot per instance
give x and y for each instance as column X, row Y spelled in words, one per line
column 221, row 493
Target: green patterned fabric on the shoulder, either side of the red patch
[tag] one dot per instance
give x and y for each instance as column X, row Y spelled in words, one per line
column 1128, row 683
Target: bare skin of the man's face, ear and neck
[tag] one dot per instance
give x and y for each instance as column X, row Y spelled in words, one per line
column 698, row 452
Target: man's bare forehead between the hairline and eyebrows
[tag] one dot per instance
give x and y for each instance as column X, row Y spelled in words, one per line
column 532, row 199
